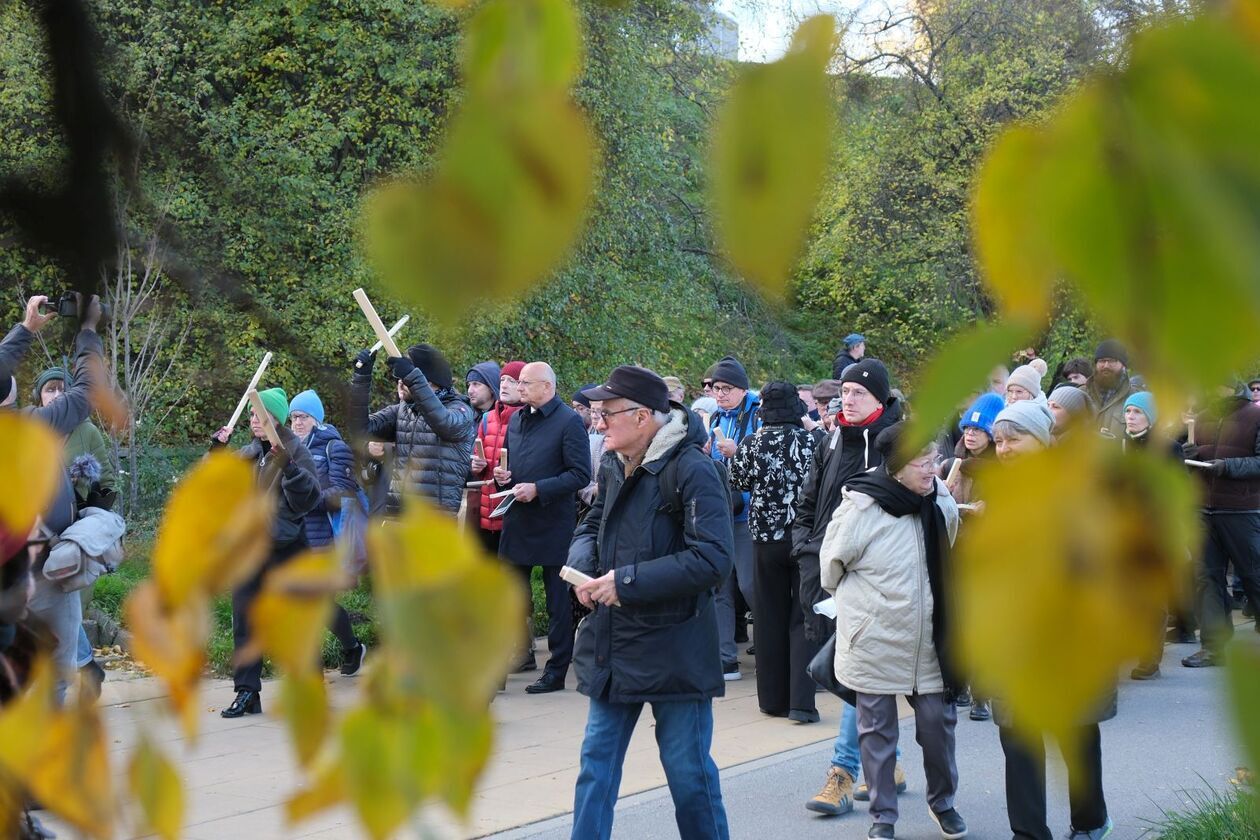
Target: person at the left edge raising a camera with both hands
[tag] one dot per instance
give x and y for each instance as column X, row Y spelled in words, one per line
column 61, row 613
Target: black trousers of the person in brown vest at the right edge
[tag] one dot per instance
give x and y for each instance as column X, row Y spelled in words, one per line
column 1230, row 537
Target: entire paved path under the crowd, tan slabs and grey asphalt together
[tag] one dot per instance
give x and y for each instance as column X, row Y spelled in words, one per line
column 1172, row 735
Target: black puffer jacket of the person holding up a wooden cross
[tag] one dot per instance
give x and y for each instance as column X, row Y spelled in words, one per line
column 433, row 439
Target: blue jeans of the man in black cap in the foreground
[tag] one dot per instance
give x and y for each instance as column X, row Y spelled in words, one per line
column 685, row 734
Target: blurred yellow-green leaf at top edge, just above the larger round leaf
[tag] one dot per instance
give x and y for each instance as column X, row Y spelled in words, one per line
column 522, row 46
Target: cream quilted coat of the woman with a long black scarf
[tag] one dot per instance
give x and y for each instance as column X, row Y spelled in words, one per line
column 876, row 565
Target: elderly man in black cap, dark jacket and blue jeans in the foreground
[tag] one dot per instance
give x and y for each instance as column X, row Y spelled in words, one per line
column 658, row 543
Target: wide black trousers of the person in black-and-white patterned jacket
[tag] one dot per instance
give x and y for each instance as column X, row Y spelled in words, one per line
column 783, row 653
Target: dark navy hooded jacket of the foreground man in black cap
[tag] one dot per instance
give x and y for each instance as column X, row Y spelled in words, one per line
column 661, row 643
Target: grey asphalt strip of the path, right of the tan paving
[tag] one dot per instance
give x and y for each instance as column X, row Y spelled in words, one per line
column 1171, row 735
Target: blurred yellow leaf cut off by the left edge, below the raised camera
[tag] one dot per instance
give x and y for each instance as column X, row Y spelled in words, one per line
column 31, row 470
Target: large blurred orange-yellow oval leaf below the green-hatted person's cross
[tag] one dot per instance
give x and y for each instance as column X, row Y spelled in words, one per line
column 215, row 533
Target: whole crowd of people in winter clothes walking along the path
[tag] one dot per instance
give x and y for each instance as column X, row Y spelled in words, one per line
column 788, row 507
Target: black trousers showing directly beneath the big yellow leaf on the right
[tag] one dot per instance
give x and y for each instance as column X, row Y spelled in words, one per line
column 1026, row 785
